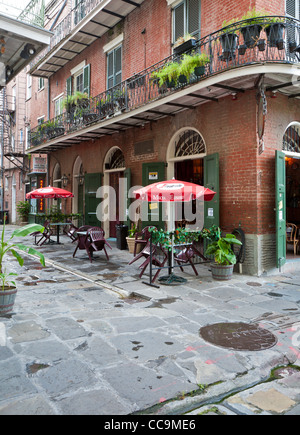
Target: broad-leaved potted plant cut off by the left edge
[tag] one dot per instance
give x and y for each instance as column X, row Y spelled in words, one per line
column 8, row 287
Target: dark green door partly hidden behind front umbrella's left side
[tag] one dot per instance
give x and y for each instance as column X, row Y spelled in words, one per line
column 153, row 173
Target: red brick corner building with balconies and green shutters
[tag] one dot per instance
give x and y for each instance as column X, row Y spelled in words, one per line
column 234, row 128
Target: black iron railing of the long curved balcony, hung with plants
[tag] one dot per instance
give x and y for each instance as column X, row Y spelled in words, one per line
column 261, row 40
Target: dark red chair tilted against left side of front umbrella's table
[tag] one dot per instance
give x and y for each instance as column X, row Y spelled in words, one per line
column 158, row 257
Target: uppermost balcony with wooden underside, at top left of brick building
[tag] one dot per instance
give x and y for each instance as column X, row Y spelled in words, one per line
column 75, row 33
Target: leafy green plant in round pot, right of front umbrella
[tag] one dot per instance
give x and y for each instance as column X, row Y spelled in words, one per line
column 224, row 256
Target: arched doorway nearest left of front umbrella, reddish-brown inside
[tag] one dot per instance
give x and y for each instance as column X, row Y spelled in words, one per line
column 114, row 172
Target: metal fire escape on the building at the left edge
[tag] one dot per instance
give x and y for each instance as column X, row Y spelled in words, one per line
column 12, row 149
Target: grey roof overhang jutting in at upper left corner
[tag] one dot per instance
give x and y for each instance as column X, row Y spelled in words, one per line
column 17, row 35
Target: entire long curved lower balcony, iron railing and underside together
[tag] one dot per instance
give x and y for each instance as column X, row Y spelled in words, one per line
column 142, row 99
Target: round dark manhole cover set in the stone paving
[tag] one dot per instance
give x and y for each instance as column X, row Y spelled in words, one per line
column 238, row 336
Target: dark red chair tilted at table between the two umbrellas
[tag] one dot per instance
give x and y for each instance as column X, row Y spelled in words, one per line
column 92, row 240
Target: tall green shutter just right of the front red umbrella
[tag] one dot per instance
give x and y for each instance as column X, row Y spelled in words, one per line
column 211, row 180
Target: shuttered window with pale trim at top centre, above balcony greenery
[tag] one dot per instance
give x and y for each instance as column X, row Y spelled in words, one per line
column 186, row 19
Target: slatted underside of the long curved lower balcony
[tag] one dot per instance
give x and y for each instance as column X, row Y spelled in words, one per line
column 173, row 104
